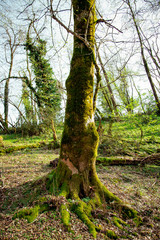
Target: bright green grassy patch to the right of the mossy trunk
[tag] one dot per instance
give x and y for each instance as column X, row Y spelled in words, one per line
column 137, row 135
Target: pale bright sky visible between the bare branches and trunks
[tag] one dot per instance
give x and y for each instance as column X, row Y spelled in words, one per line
column 59, row 43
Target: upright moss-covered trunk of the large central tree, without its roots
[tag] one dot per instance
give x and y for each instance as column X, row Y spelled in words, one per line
column 80, row 138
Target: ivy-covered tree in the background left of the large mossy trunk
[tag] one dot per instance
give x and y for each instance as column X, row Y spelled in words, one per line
column 46, row 91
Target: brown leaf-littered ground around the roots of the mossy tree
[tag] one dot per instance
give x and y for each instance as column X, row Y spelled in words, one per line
column 139, row 186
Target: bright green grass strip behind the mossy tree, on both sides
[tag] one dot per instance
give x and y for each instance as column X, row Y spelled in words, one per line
column 138, row 135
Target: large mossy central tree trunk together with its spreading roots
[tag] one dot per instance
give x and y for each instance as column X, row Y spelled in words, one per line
column 75, row 179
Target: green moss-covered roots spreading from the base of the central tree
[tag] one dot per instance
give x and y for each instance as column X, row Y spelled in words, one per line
column 97, row 205
